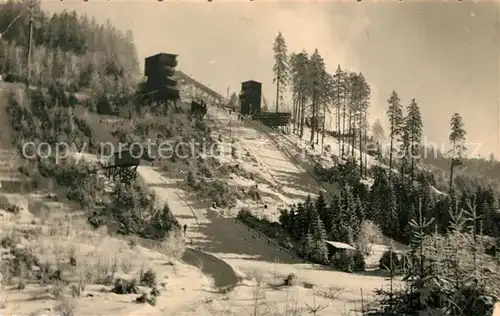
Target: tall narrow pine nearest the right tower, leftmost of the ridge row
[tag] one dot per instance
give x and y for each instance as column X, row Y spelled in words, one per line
column 280, row 68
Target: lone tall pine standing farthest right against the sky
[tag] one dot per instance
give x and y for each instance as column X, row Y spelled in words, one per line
column 457, row 140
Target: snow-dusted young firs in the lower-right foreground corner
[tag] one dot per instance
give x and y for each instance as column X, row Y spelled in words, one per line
column 441, row 275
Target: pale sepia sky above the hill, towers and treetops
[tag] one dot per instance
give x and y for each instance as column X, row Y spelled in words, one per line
column 446, row 55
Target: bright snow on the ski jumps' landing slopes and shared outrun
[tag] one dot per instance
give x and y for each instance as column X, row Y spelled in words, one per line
column 280, row 181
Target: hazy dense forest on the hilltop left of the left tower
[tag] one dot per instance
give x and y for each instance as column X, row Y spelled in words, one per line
column 69, row 50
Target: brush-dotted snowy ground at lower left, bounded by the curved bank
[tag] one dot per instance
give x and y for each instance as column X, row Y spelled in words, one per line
column 62, row 230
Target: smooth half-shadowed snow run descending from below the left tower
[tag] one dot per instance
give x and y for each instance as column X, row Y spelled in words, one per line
column 208, row 230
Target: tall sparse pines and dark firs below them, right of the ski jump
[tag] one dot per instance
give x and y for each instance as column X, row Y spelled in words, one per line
column 408, row 184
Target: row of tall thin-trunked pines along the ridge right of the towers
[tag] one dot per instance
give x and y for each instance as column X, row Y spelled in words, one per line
column 345, row 96
